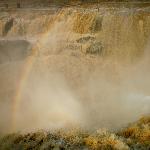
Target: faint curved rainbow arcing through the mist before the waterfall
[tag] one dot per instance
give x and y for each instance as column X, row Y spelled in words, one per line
column 26, row 69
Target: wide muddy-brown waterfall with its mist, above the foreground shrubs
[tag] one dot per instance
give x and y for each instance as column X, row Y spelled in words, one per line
column 89, row 68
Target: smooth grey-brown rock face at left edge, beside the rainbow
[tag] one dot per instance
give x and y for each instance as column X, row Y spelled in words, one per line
column 14, row 50
